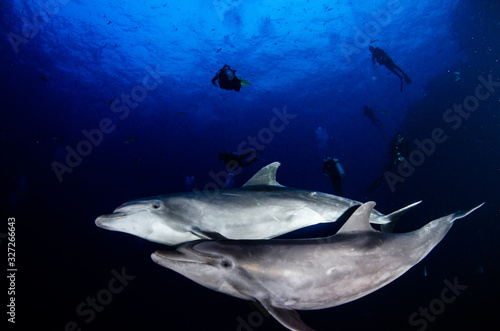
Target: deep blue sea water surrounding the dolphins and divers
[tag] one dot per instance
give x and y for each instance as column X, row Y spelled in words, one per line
column 109, row 101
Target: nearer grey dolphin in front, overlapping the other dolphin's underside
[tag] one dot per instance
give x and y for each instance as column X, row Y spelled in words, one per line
column 307, row 274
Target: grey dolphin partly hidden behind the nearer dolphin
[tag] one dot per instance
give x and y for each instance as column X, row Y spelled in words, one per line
column 261, row 209
